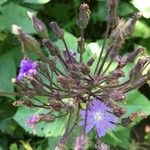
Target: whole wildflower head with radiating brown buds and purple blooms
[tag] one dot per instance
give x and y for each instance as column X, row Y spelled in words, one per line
column 70, row 96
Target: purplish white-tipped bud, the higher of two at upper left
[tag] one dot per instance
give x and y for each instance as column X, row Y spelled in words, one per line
column 39, row 26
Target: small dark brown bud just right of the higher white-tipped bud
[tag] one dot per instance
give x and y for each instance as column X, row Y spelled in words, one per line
column 57, row 30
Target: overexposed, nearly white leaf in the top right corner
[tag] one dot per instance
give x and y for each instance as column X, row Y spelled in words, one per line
column 143, row 6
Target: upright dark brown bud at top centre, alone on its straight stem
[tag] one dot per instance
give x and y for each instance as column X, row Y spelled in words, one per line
column 84, row 16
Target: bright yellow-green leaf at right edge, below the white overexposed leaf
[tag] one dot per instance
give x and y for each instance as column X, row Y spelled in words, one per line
column 141, row 30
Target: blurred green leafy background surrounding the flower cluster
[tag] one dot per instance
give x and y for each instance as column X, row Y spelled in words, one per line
column 12, row 135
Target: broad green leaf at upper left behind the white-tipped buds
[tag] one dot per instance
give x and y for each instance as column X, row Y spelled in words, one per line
column 15, row 14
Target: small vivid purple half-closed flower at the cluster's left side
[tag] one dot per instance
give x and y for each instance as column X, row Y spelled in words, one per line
column 27, row 67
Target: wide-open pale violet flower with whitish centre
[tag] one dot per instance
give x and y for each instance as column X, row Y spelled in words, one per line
column 98, row 117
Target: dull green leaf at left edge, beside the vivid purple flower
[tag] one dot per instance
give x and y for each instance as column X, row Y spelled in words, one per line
column 7, row 72
